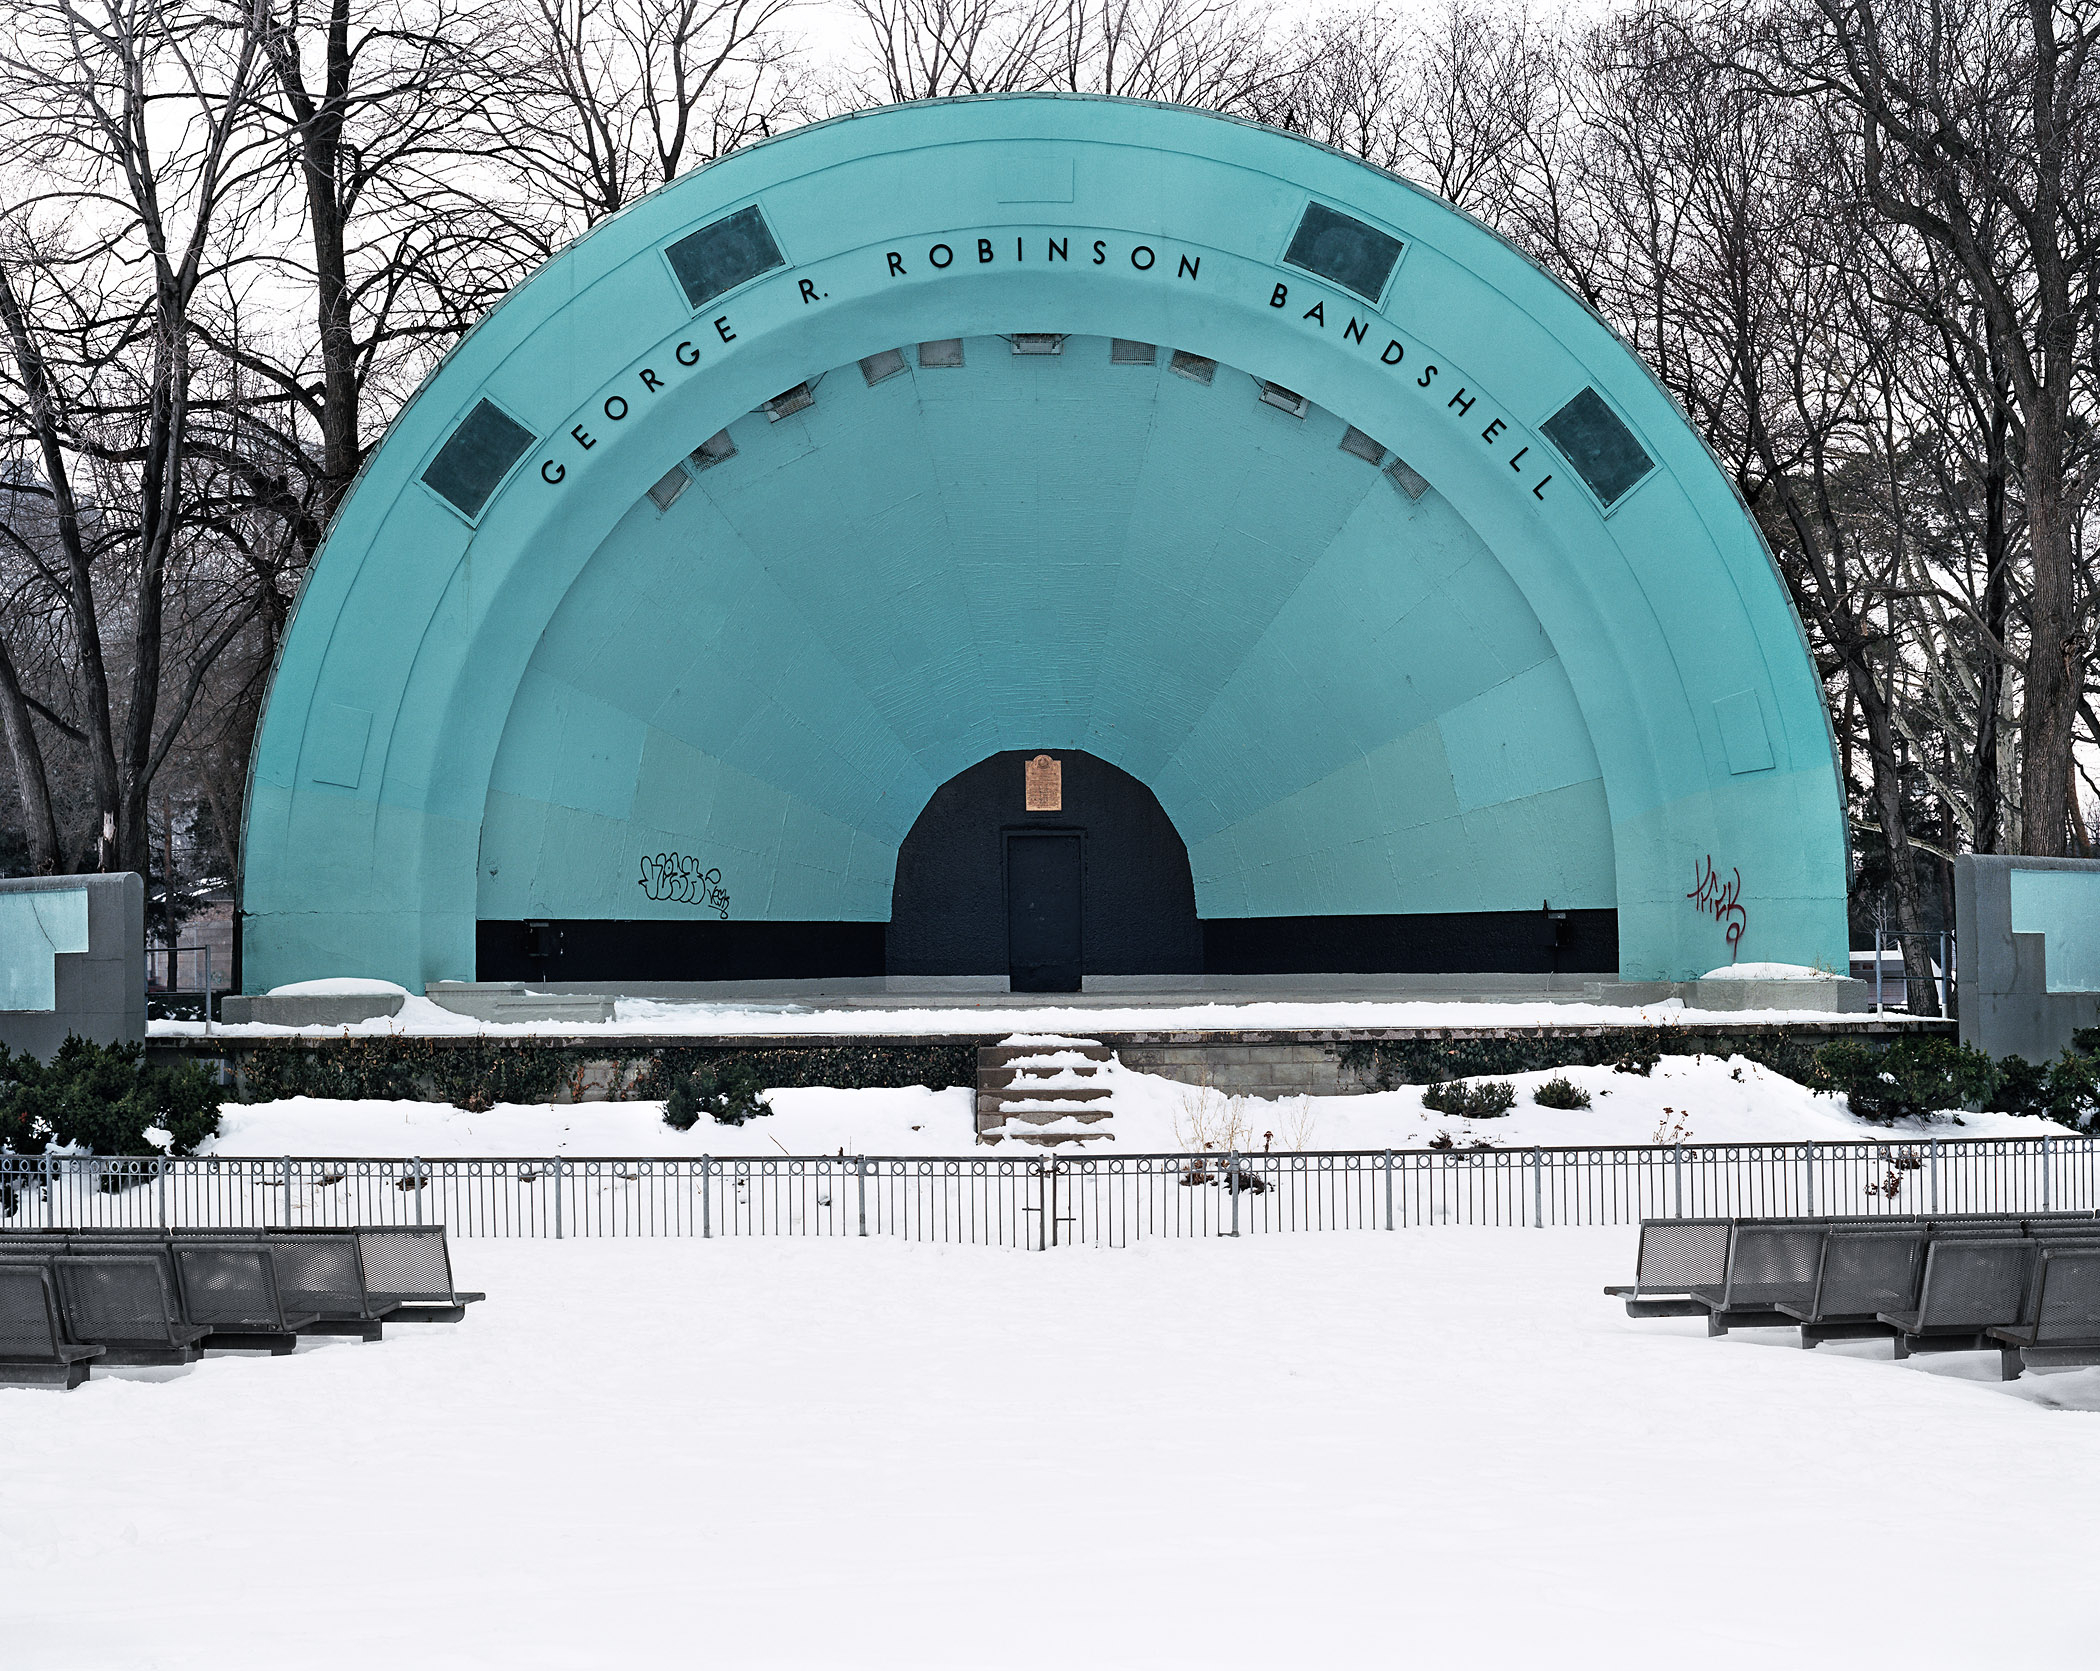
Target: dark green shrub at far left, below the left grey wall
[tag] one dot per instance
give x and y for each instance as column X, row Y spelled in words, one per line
column 104, row 1099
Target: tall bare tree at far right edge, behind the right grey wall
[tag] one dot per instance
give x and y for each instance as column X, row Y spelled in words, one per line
column 1979, row 129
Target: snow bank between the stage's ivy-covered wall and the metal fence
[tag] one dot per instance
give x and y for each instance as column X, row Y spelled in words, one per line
column 1687, row 1099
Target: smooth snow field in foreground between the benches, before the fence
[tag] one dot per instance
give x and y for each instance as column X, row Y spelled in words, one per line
column 1293, row 1452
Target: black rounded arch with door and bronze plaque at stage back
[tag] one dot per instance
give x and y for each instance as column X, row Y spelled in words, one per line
column 990, row 887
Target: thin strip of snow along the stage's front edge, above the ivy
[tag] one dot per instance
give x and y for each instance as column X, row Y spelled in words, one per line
column 658, row 1017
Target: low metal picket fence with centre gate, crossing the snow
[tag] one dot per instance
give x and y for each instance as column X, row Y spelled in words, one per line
column 1057, row 1200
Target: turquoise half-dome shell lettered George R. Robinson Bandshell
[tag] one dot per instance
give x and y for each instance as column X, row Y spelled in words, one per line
column 1041, row 425
